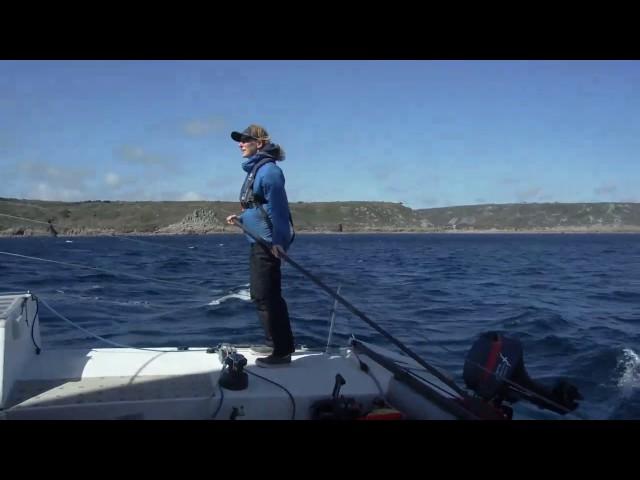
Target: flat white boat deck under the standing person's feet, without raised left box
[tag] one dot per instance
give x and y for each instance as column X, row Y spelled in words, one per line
column 116, row 383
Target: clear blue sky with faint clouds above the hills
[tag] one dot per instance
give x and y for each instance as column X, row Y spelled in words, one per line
column 425, row 133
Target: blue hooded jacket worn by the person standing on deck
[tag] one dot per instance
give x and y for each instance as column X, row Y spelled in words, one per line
column 268, row 188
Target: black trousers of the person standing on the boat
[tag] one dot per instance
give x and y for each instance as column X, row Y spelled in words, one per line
column 266, row 293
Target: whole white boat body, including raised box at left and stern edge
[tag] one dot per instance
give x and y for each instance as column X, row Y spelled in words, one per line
column 127, row 383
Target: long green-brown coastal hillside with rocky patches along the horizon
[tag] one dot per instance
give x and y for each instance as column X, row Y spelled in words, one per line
column 105, row 217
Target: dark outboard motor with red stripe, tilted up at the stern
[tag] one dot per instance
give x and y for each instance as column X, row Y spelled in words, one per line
column 494, row 369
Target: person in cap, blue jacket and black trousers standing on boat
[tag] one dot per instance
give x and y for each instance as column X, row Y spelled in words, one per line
column 266, row 214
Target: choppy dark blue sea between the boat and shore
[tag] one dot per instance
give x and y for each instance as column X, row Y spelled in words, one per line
column 573, row 313
